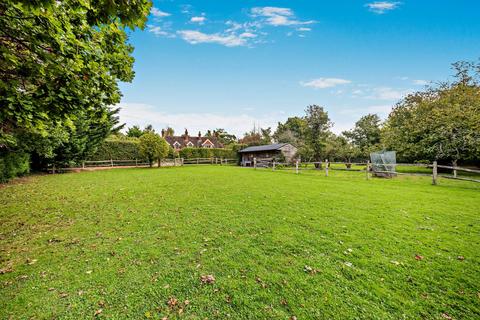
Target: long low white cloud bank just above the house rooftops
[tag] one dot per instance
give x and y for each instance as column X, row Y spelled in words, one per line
column 143, row 114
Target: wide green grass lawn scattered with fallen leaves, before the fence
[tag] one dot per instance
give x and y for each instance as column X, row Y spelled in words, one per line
column 134, row 243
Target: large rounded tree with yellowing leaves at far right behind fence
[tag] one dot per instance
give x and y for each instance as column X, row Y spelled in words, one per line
column 440, row 123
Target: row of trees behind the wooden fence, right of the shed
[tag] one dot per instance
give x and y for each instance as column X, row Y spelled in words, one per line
column 440, row 123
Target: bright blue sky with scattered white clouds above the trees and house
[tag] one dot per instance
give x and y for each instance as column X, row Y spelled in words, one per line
column 229, row 64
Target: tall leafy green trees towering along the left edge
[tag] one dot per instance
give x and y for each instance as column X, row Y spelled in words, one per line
column 59, row 73
